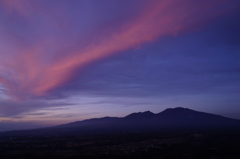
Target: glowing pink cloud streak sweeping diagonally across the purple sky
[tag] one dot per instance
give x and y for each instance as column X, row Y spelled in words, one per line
column 30, row 75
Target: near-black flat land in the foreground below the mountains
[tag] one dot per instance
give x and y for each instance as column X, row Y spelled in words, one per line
column 208, row 145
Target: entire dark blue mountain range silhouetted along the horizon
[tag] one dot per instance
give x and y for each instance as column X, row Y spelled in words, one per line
column 171, row 119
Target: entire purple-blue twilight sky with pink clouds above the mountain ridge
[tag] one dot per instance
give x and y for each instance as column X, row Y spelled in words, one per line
column 66, row 60
